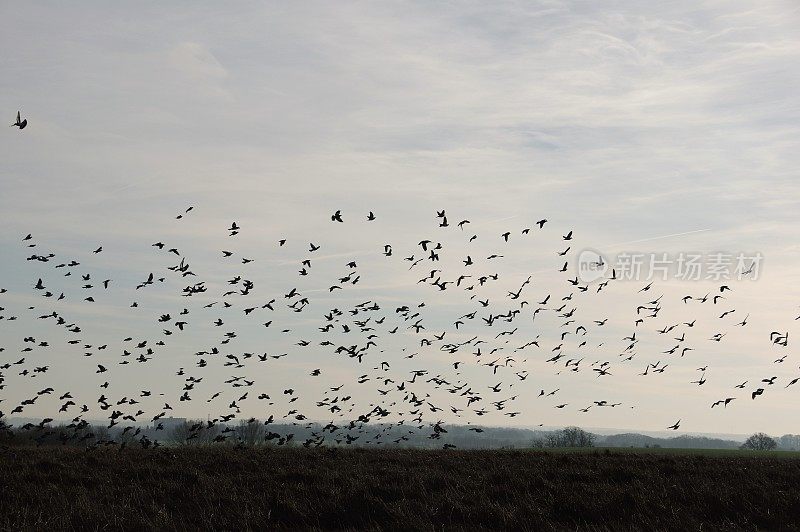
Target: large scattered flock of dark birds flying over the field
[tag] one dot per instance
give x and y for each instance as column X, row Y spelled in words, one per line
column 499, row 338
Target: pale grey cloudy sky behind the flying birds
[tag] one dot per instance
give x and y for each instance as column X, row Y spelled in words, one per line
column 668, row 128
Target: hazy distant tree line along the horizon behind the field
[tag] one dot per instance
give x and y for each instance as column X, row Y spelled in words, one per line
column 254, row 433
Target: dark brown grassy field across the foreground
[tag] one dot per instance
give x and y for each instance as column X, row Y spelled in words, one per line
column 266, row 488
